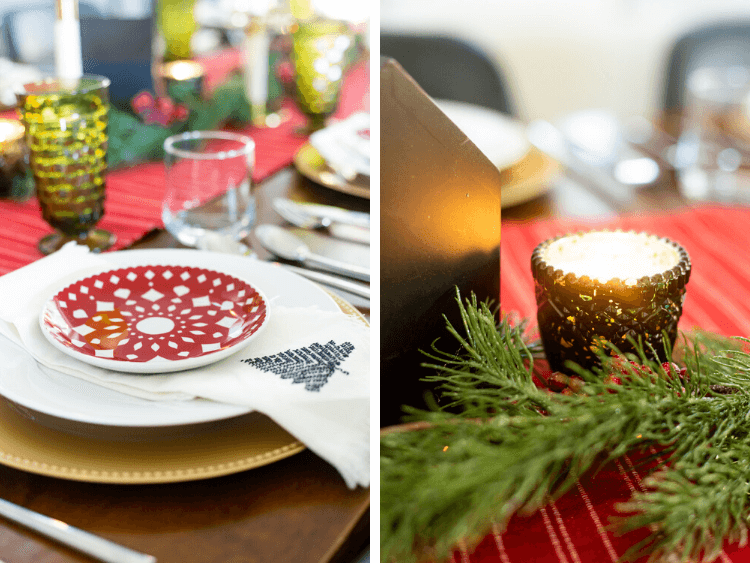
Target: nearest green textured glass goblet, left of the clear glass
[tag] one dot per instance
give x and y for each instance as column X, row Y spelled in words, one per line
column 66, row 133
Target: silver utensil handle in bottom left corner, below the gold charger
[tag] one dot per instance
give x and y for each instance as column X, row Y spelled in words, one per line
column 96, row 547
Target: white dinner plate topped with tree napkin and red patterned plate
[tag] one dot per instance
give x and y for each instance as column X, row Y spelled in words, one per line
column 300, row 360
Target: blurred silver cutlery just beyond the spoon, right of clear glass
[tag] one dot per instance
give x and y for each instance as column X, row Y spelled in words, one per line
column 341, row 223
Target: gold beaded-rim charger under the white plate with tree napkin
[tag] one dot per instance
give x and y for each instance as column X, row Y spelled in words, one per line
column 165, row 455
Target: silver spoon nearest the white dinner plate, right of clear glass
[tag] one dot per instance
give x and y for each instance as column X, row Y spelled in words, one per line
column 286, row 245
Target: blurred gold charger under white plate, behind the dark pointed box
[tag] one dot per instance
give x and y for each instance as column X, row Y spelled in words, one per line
column 527, row 179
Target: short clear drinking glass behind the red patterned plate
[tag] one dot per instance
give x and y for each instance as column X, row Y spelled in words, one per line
column 209, row 185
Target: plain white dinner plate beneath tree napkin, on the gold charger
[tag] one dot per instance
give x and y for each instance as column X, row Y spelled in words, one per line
column 64, row 396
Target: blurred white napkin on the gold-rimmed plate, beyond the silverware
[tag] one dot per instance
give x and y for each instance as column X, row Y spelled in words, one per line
column 345, row 145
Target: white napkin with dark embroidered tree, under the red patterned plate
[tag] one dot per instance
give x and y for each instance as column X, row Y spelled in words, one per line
column 329, row 414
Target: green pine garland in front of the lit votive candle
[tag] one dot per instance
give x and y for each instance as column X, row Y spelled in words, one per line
column 500, row 445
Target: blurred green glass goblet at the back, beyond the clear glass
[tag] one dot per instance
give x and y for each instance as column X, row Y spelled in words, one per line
column 319, row 49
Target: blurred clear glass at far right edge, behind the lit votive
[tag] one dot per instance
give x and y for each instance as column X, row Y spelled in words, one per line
column 712, row 156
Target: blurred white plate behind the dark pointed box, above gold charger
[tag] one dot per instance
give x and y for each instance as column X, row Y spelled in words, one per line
column 501, row 138
